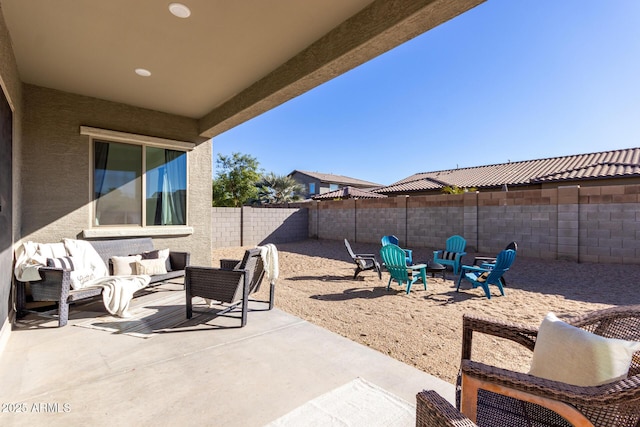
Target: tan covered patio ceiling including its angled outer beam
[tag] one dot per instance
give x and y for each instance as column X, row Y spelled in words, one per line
column 228, row 62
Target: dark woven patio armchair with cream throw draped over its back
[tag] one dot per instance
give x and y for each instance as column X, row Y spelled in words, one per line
column 231, row 284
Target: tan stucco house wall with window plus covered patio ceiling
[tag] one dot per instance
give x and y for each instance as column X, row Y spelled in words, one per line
column 89, row 141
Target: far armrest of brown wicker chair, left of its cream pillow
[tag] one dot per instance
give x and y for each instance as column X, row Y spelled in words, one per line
column 521, row 334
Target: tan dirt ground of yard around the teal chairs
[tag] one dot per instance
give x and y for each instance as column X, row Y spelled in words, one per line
column 424, row 328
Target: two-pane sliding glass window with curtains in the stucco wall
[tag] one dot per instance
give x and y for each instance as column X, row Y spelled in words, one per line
column 121, row 171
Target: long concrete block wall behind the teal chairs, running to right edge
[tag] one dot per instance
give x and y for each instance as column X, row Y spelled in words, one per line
column 590, row 224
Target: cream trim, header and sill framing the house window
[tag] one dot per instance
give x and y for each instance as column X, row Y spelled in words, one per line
column 143, row 140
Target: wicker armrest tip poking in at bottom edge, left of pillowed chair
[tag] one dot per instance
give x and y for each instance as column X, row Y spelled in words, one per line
column 432, row 410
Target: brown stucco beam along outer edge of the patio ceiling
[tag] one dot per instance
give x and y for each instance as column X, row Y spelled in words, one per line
column 376, row 29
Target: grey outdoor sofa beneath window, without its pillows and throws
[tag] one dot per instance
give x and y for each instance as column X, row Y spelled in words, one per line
column 56, row 282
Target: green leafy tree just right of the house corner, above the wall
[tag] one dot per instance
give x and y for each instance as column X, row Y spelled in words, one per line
column 235, row 181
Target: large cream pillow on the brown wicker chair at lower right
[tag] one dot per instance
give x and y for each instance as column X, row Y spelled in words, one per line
column 574, row 356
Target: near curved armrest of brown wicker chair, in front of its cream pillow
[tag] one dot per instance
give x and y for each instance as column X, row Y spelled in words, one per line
column 617, row 392
